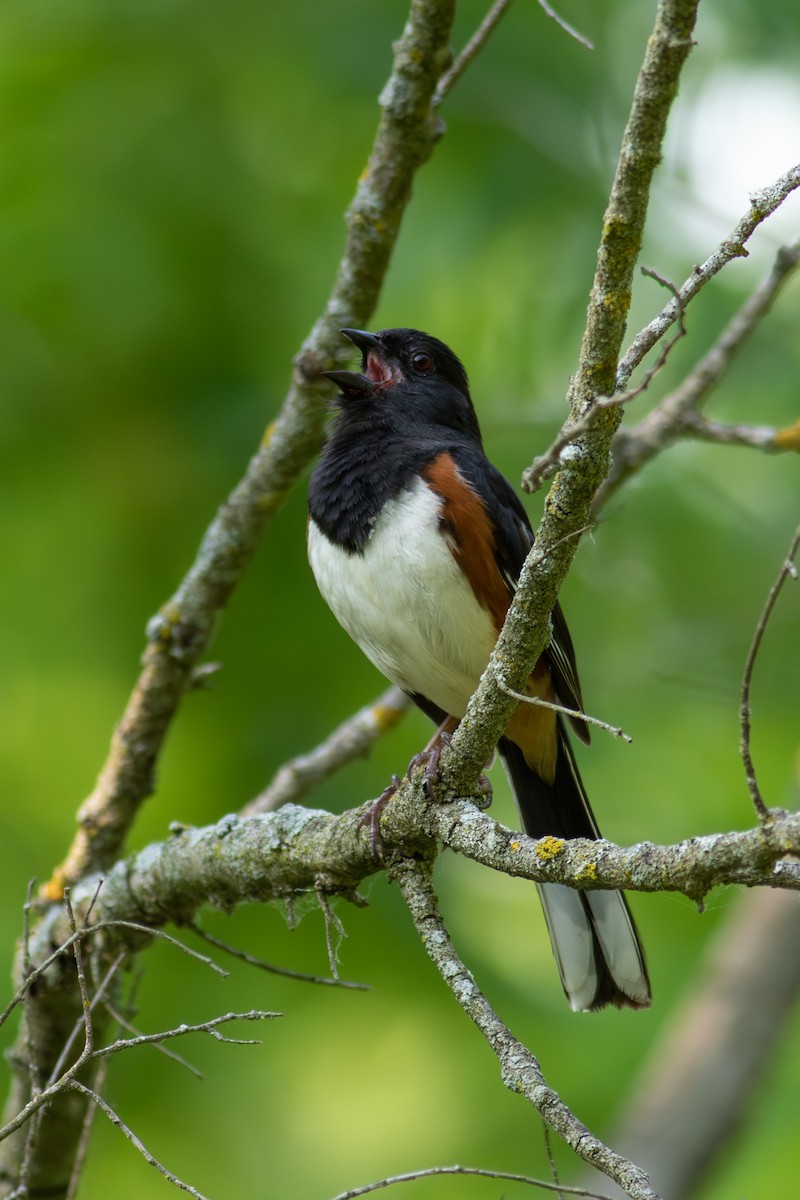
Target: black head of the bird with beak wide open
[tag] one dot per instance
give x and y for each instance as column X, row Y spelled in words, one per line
column 411, row 377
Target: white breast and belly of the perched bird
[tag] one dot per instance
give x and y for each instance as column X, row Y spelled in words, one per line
column 407, row 604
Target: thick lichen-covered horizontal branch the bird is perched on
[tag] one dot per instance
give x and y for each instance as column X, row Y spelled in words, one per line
column 279, row 856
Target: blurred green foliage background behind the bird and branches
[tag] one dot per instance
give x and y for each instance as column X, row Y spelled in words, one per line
column 173, row 185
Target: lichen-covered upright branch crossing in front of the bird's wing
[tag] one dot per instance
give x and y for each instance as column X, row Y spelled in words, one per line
column 586, row 464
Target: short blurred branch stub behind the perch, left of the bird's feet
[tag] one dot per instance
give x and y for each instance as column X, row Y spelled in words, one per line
column 353, row 740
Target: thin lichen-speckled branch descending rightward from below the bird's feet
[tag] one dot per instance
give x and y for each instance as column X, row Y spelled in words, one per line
column 521, row 1071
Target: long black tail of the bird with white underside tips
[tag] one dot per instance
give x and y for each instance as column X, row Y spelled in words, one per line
column 596, row 941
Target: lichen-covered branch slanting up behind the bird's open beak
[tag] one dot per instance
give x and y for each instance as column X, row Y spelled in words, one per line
column 178, row 637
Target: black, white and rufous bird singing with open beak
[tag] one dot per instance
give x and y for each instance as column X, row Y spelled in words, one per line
column 417, row 543
